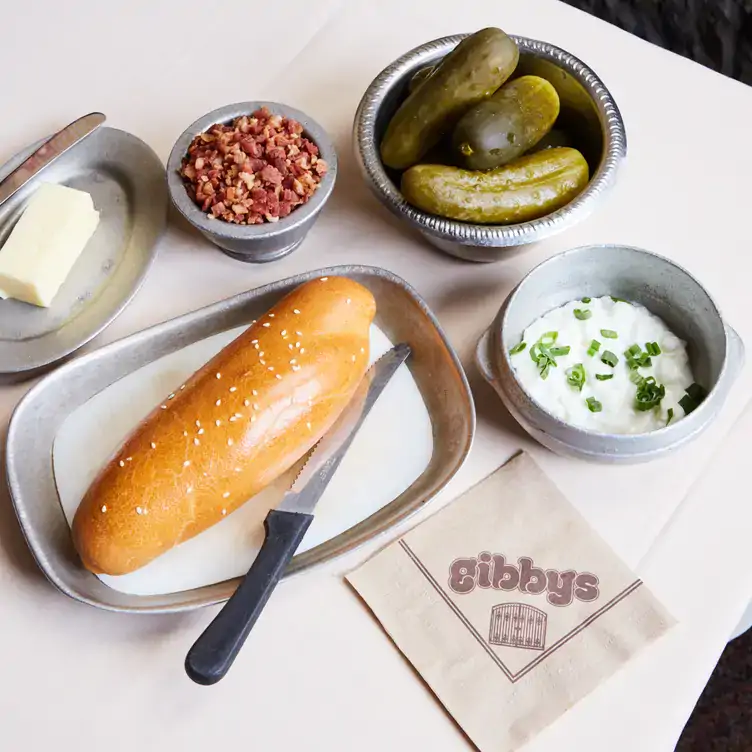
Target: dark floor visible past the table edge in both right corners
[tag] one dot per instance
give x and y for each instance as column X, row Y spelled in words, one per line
column 718, row 35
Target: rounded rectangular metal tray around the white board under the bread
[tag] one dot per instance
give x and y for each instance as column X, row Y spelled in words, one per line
column 402, row 316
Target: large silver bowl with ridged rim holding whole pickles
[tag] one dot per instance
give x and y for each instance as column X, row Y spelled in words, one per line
column 588, row 114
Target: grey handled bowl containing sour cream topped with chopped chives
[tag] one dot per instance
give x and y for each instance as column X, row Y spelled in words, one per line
column 716, row 352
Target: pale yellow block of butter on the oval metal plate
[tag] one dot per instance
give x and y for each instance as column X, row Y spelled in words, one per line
column 45, row 243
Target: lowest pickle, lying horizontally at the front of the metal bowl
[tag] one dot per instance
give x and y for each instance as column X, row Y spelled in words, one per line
column 528, row 188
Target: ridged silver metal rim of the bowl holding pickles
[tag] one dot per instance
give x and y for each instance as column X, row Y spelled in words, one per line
column 367, row 150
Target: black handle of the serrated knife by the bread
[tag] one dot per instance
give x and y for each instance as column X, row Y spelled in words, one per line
column 215, row 650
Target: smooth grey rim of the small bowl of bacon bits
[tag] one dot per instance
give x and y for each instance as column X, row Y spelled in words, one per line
column 218, row 227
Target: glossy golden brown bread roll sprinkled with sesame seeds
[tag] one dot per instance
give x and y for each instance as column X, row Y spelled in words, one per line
column 237, row 424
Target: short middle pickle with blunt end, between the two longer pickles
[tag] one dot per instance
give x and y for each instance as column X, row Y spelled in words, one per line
column 504, row 126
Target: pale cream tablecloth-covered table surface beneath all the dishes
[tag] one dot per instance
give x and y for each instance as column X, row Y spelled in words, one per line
column 318, row 672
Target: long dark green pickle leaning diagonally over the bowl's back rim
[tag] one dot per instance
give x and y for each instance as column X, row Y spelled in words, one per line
column 472, row 71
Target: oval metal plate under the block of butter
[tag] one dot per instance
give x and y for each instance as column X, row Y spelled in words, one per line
column 127, row 182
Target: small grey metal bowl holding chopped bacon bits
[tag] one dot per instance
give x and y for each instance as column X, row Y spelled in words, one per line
column 253, row 243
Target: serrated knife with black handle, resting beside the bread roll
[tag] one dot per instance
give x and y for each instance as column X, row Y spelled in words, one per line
column 215, row 650
